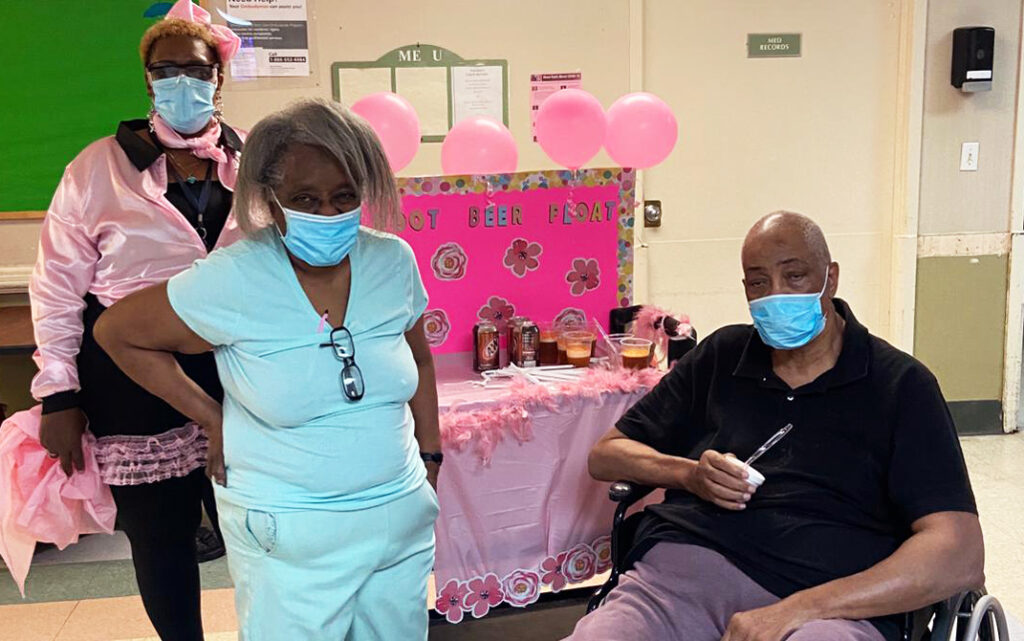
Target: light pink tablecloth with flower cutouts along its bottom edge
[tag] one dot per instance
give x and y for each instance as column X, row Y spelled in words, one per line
column 532, row 517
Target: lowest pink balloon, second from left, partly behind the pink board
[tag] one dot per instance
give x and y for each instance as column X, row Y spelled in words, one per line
column 480, row 146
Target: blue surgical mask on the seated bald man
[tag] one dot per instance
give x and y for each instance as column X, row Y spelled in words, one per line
column 789, row 321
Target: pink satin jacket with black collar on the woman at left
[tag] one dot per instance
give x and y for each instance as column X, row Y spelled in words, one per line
column 111, row 232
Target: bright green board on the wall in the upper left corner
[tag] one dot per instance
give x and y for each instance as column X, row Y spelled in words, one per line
column 71, row 73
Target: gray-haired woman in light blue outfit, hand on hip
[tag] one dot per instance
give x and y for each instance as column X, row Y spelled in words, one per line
column 327, row 445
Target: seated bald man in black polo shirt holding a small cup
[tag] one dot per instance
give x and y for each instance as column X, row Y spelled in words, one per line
column 867, row 510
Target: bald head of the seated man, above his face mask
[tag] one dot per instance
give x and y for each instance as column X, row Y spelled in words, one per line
column 787, row 253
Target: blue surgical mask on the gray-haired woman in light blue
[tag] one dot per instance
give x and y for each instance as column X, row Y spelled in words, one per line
column 320, row 241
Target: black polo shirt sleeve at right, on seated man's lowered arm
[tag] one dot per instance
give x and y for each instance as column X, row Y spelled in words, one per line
column 927, row 473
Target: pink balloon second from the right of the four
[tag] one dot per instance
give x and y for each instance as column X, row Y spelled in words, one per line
column 571, row 127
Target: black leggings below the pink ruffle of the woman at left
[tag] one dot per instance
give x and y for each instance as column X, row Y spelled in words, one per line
column 160, row 521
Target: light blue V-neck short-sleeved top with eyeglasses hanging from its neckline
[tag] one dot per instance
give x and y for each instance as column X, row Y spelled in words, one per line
column 292, row 440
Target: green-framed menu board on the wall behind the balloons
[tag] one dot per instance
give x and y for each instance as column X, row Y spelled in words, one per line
column 440, row 84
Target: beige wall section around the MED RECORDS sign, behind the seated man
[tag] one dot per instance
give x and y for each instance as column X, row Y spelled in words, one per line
column 816, row 135
